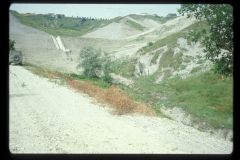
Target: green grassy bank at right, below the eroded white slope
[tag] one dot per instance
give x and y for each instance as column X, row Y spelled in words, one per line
column 205, row 96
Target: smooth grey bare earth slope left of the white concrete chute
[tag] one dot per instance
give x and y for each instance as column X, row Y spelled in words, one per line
column 38, row 48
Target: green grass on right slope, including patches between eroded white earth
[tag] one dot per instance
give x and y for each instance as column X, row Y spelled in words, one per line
column 205, row 95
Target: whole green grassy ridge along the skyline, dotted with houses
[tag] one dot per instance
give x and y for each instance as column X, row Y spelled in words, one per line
column 71, row 27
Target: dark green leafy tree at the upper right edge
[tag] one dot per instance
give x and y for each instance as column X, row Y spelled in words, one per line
column 219, row 41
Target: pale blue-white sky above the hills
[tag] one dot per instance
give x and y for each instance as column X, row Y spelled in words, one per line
column 108, row 11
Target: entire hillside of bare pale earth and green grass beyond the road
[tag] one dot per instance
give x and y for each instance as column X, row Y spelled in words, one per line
column 170, row 73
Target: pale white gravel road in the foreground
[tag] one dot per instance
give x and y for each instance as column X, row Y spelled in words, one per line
column 48, row 118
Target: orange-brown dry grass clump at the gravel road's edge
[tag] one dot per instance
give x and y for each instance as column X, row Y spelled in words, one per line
column 117, row 98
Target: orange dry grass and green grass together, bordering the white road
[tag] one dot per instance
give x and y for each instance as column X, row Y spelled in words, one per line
column 205, row 95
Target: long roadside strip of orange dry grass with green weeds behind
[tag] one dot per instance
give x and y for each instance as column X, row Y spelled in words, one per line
column 111, row 96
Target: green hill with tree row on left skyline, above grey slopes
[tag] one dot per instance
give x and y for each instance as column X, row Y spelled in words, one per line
column 71, row 26
